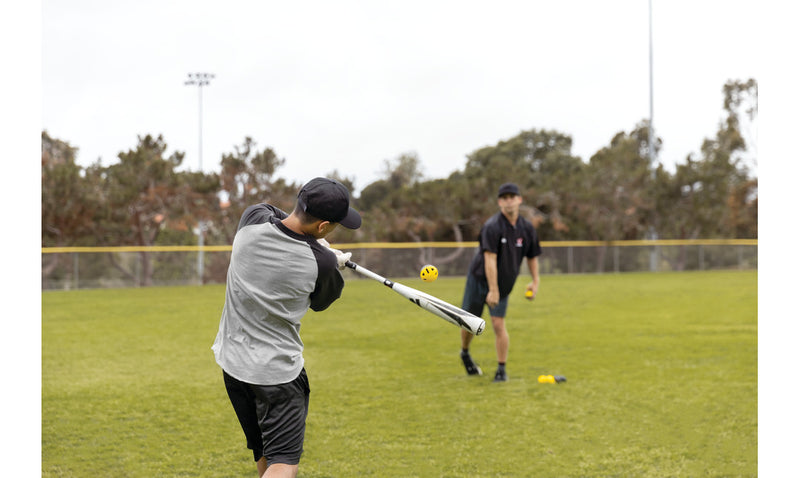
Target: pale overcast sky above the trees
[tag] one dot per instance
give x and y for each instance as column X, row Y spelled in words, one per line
column 346, row 85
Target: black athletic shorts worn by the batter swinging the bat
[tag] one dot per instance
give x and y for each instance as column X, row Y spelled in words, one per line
column 273, row 417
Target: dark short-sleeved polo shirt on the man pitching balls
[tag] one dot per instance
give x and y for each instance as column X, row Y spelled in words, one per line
column 511, row 244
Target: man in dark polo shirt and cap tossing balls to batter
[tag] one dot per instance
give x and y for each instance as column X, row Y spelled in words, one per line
column 506, row 238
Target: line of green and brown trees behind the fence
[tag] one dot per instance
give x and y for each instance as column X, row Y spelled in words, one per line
column 145, row 199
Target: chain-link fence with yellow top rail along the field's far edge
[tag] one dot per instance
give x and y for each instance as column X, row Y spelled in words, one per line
column 92, row 268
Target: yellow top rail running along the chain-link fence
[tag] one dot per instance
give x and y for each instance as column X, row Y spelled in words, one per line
column 416, row 245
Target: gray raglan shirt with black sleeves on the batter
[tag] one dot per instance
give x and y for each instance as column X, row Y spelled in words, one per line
column 275, row 276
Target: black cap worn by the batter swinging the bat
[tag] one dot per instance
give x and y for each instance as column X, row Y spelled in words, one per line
column 329, row 200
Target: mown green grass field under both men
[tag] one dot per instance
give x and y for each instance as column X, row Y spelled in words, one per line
column 661, row 368
